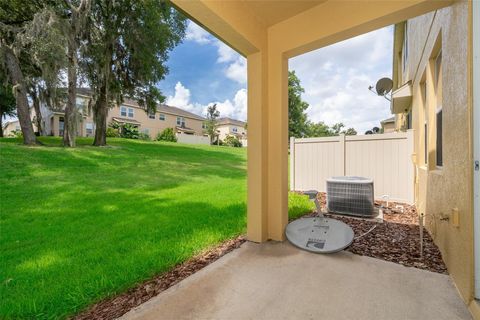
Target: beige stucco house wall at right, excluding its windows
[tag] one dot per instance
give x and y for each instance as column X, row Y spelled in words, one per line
column 440, row 190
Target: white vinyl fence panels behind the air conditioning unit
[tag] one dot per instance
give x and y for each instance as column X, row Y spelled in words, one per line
column 385, row 158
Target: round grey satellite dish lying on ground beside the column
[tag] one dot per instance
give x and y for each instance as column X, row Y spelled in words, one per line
column 319, row 234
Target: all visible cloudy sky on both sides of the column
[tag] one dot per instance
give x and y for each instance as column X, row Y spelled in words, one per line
column 203, row 71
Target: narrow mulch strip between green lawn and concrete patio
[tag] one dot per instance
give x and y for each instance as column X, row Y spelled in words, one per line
column 115, row 307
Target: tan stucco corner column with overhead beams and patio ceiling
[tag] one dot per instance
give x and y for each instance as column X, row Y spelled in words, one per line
column 268, row 33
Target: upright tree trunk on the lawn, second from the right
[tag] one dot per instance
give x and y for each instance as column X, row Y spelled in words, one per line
column 70, row 112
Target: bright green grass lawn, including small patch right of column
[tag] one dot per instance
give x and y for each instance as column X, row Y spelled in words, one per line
column 78, row 225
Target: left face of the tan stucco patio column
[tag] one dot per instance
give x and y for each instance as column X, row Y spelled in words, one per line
column 257, row 148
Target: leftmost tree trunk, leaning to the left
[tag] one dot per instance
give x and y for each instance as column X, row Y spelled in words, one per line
column 16, row 77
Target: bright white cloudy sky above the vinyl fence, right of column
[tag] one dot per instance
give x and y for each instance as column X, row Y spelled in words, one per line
column 336, row 80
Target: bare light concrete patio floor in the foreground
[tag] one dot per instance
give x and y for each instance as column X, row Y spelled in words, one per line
column 278, row 281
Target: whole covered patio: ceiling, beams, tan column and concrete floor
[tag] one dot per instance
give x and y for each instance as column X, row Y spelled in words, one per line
column 273, row 280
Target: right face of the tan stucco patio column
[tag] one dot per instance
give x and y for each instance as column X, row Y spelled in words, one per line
column 277, row 144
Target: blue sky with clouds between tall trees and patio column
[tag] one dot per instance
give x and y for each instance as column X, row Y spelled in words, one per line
column 202, row 71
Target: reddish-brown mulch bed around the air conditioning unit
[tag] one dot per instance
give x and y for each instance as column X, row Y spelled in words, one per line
column 397, row 239
